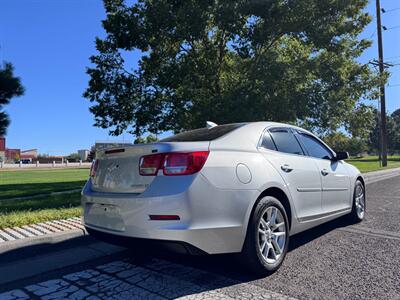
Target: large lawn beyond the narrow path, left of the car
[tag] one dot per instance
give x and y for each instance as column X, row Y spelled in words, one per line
column 20, row 183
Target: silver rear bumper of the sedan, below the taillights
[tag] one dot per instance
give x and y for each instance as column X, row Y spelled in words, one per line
column 211, row 220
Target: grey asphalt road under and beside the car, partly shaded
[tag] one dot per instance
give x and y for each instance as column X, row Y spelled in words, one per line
column 334, row 261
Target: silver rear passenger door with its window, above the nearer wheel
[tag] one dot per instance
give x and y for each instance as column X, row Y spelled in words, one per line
column 281, row 148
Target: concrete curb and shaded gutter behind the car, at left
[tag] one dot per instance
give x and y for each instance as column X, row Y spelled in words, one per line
column 33, row 256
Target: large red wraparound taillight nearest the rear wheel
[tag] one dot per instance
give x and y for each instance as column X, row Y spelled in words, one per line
column 174, row 163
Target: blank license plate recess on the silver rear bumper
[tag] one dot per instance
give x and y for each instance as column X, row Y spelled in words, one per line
column 105, row 216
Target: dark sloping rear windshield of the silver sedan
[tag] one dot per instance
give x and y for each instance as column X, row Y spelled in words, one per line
column 203, row 134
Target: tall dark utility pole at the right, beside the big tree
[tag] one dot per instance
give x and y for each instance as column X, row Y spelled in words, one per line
column 382, row 88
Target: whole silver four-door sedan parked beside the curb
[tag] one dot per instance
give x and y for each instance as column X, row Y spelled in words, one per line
column 236, row 188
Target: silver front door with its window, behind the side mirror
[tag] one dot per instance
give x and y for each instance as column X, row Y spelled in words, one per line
column 334, row 176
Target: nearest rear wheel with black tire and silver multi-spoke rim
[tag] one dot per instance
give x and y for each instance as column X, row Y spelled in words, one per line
column 267, row 237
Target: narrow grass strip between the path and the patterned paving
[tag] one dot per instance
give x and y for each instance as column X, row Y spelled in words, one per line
column 22, row 212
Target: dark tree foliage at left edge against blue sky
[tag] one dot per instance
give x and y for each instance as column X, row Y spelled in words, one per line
column 10, row 87
